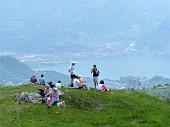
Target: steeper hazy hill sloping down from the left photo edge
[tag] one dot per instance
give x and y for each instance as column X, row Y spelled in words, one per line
column 12, row 70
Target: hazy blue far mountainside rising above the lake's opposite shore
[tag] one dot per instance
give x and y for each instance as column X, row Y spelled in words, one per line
column 35, row 25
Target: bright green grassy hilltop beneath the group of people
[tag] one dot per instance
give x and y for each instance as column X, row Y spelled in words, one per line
column 85, row 109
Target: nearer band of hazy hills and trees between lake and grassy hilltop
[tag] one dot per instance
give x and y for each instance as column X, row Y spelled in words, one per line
column 14, row 71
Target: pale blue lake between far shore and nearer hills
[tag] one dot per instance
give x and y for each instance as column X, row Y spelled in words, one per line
column 114, row 67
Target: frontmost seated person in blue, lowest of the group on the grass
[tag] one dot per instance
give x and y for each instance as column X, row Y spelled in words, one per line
column 54, row 98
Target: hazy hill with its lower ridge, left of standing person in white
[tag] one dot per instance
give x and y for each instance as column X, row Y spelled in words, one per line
column 12, row 71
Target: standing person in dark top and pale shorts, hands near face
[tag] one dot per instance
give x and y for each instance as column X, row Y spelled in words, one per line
column 96, row 73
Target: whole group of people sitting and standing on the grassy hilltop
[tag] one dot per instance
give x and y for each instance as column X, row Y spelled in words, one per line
column 51, row 94
